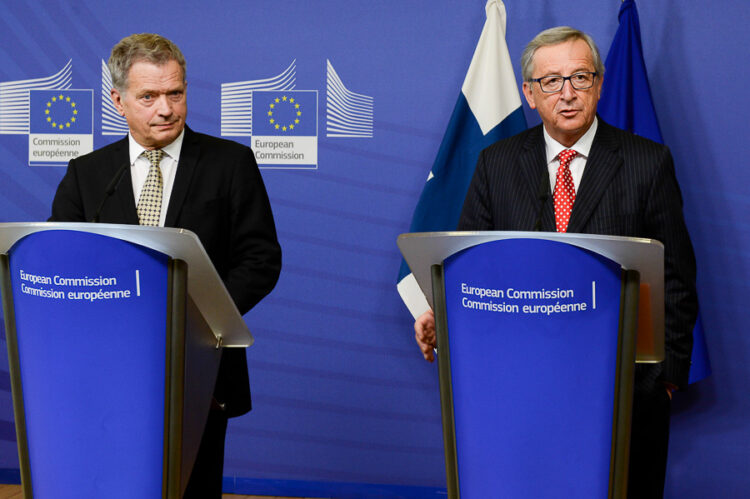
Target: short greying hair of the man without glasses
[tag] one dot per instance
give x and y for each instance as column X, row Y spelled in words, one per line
column 140, row 47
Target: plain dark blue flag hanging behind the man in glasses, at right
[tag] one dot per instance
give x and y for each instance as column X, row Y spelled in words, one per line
column 626, row 103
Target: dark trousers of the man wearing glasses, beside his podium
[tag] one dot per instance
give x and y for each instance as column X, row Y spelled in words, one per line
column 649, row 443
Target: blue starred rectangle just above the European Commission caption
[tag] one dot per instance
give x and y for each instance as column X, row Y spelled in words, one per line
column 292, row 113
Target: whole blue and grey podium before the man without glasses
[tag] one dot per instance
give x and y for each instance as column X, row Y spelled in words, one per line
column 114, row 336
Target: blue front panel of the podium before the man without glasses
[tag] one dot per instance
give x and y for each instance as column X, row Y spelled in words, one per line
column 90, row 322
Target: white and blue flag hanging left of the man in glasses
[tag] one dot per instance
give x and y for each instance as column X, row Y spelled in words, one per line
column 488, row 109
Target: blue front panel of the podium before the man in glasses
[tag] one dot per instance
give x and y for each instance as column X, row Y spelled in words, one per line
column 532, row 353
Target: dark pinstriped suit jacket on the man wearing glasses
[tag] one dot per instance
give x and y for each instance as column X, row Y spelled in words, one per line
column 628, row 189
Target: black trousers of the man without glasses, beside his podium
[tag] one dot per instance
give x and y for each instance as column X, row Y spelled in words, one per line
column 206, row 477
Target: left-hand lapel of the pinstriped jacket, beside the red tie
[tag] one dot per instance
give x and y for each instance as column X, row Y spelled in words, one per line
column 533, row 167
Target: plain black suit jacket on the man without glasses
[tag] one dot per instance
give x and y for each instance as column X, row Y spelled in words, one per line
column 218, row 193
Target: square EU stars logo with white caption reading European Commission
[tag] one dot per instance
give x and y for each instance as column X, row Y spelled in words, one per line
column 285, row 128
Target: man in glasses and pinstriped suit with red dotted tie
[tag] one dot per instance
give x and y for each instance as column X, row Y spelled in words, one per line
column 617, row 184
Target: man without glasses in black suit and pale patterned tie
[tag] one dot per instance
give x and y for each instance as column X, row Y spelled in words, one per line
column 193, row 181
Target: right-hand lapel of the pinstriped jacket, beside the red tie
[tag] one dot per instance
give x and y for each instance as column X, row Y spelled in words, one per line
column 601, row 166
